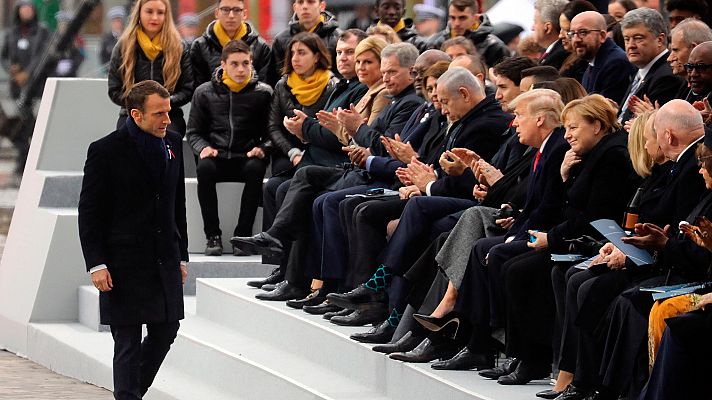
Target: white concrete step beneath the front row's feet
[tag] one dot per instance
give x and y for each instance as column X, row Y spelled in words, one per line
column 230, row 303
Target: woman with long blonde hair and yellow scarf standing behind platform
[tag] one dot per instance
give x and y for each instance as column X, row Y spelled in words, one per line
column 151, row 49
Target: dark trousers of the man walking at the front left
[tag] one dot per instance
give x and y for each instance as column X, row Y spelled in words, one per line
column 136, row 362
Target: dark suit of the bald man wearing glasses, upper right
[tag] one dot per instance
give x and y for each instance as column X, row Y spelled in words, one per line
column 610, row 74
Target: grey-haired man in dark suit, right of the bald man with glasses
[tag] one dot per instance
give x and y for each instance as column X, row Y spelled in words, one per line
column 645, row 36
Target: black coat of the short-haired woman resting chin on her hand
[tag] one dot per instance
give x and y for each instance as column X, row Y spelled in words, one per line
column 598, row 187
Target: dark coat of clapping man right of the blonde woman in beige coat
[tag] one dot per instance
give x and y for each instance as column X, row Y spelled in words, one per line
column 390, row 121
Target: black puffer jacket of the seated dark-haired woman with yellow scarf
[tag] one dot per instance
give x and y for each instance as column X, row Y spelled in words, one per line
column 283, row 104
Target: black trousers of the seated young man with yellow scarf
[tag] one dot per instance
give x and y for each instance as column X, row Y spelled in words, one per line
column 212, row 170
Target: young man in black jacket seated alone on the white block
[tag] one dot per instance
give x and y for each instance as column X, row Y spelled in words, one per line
column 228, row 118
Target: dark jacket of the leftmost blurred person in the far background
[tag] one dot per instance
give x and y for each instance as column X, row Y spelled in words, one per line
column 22, row 46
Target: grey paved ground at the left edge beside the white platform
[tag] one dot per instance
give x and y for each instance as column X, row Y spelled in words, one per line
column 19, row 377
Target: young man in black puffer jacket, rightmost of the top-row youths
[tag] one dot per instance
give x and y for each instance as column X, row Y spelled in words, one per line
column 465, row 20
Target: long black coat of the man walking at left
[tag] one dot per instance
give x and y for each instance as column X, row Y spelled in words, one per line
column 136, row 225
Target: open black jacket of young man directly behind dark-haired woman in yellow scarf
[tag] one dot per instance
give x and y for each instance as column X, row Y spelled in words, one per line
column 328, row 31
